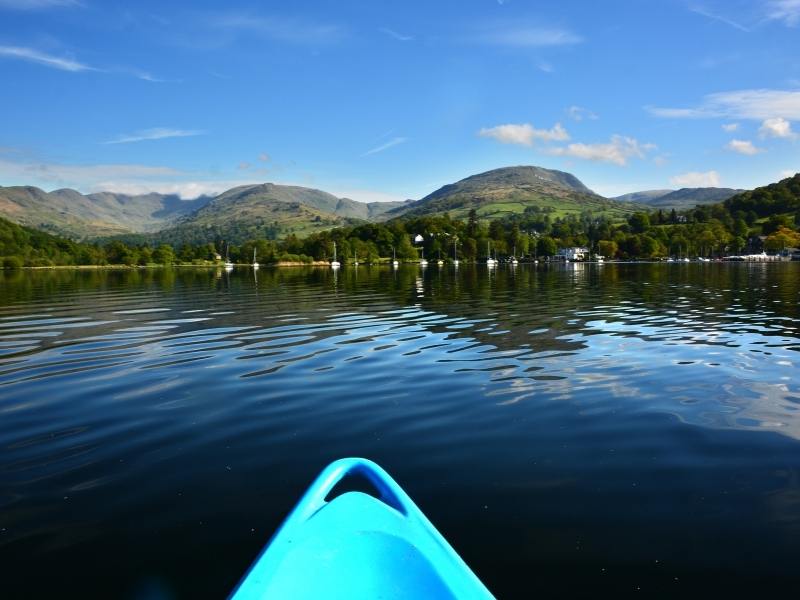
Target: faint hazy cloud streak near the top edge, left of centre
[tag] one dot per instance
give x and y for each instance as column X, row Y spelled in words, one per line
column 292, row 30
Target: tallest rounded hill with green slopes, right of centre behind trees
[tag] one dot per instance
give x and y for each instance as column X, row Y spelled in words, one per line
column 513, row 190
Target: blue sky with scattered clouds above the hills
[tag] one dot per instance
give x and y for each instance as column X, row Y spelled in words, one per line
column 379, row 100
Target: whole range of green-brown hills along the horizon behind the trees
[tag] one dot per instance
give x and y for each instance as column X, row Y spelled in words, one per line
column 274, row 211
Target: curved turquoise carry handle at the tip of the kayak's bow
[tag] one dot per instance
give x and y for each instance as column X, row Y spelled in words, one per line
column 390, row 492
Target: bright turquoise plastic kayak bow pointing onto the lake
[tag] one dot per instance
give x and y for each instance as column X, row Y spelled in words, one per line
column 358, row 546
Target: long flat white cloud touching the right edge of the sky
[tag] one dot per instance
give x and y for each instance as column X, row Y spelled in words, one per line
column 755, row 104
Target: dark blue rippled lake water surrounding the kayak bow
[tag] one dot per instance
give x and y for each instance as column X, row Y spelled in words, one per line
column 572, row 429
